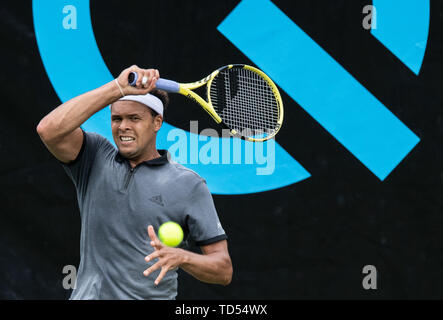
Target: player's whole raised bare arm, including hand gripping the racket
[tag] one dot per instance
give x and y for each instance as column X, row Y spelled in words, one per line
column 60, row 129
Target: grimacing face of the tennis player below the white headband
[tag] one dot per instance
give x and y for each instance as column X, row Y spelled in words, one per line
column 133, row 128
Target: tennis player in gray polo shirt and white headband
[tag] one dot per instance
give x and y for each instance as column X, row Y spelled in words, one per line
column 125, row 194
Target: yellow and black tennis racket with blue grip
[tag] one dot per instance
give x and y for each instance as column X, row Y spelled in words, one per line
column 240, row 98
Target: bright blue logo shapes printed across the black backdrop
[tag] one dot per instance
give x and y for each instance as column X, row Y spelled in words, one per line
column 309, row 75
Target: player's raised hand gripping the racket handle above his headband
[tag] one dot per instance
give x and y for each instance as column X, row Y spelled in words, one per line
column 140, row 88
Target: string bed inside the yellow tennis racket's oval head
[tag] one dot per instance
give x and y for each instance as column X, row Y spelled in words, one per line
column 245, row 102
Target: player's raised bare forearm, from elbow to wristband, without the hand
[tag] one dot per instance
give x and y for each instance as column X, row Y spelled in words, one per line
column 70, row 115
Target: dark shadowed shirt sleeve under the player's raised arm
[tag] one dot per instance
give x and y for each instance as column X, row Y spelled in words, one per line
column 79, row 169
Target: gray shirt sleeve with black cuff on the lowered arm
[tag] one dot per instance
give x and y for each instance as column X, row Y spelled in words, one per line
column 202, row 219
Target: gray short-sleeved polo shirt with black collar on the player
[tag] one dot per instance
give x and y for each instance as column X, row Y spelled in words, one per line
column 118, row 203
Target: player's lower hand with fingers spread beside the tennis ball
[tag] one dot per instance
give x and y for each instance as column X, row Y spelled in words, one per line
column 168, row 258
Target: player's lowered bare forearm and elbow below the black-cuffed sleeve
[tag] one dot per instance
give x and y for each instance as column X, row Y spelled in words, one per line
column 211, row 268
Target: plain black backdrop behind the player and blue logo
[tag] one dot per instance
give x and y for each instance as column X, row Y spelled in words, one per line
column 309, row 240
